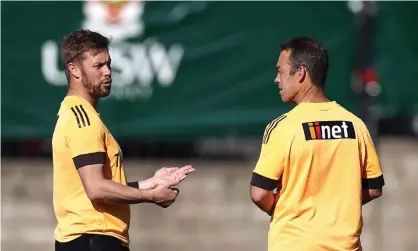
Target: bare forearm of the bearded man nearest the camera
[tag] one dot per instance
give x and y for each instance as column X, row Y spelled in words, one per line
column 112, row 192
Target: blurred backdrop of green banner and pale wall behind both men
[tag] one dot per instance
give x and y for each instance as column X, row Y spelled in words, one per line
column 193, row 83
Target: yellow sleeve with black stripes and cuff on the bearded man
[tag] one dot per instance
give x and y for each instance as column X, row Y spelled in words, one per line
column 86, row 141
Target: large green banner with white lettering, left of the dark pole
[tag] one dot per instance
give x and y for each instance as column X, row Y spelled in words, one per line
column 181, row 70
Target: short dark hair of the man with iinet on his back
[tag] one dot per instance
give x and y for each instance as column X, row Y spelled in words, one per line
column 311, row 54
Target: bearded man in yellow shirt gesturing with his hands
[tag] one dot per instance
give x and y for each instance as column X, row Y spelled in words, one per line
column 90, row 191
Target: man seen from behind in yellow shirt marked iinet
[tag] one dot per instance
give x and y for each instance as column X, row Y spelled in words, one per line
column 318, row 156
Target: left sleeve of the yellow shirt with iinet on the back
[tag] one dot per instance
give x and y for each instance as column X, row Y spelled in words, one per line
column 270, row 164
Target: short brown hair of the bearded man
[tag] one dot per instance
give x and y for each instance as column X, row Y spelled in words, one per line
column 78, row 42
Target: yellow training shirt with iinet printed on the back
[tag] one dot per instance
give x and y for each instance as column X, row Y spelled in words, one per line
column 319, row 156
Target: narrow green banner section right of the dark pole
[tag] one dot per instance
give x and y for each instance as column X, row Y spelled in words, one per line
column 396, row 59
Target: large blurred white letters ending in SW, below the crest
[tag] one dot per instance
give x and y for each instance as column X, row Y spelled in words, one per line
column 135, row 67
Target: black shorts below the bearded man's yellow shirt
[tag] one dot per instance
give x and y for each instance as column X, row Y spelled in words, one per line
column 91, row 242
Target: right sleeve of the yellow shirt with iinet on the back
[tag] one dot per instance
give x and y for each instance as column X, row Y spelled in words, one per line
column 372, row 175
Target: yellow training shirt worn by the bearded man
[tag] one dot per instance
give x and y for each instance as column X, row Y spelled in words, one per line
column 80, row 138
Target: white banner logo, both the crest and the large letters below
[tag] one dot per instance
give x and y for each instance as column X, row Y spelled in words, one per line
column 135, row 65
